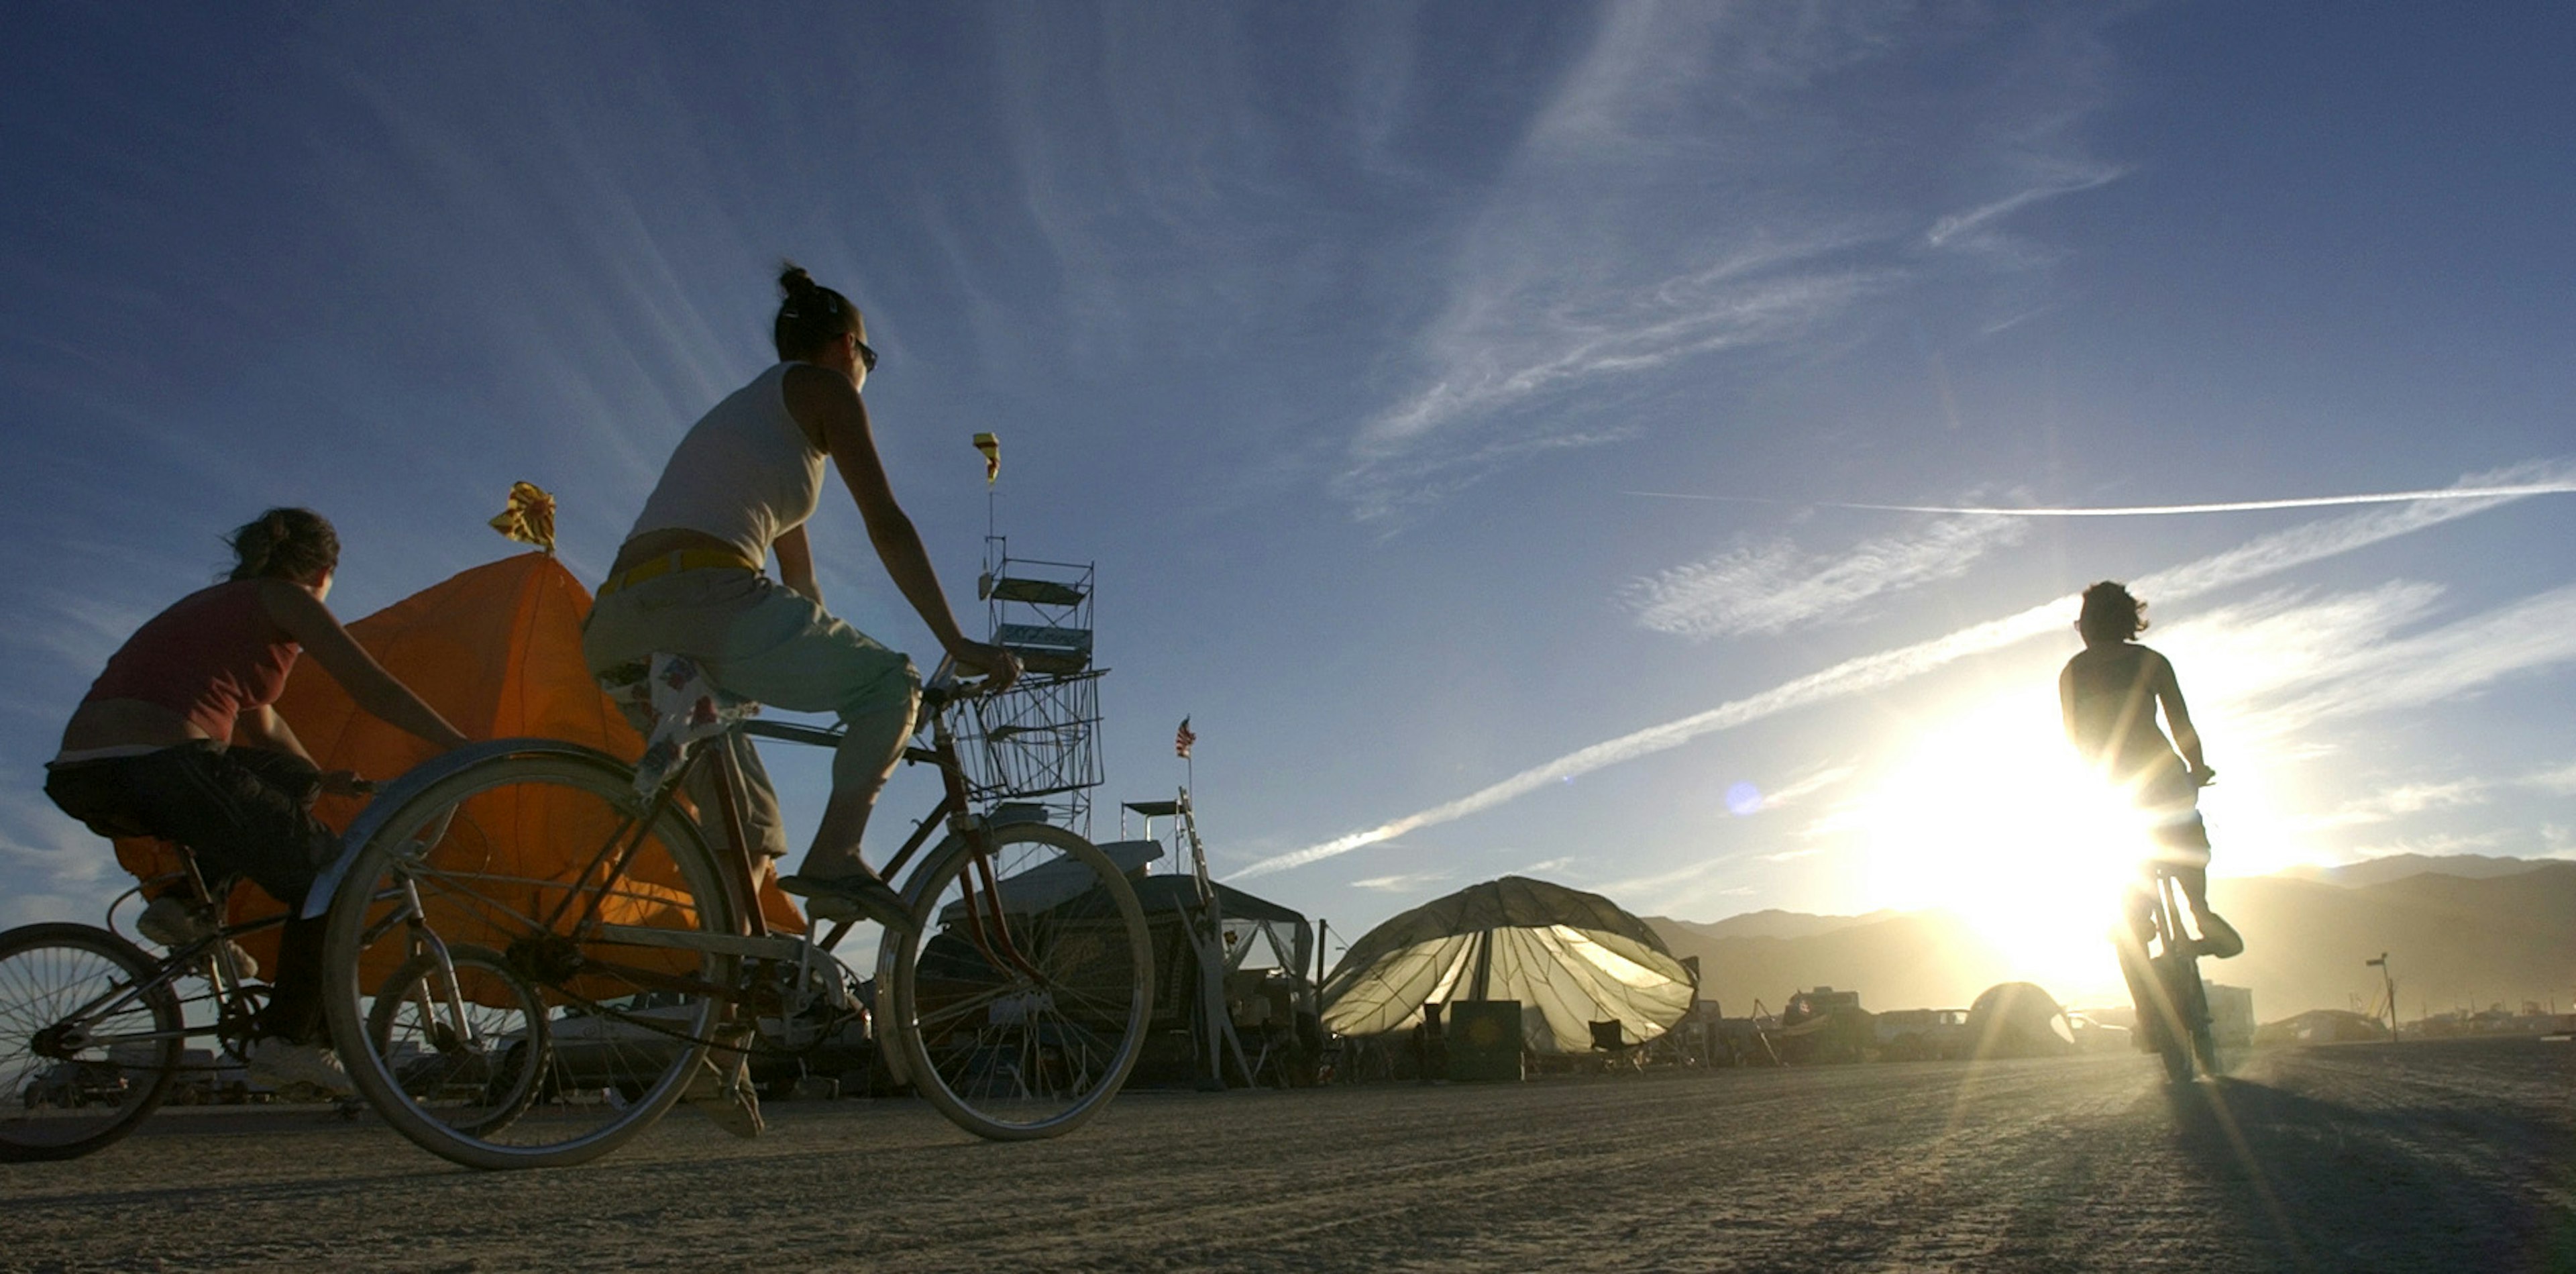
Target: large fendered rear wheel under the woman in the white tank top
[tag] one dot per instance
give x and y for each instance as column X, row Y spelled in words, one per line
column 581, row 936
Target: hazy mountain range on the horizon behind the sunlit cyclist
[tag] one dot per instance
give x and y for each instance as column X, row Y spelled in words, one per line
column 2461, row 933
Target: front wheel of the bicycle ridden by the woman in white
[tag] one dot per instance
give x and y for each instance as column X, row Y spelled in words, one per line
column 1024, row 992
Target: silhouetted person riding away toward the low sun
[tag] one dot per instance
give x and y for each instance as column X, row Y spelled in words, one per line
column 2111, row 694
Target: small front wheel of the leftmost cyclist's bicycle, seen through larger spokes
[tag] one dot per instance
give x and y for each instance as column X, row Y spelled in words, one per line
column 473, row 1080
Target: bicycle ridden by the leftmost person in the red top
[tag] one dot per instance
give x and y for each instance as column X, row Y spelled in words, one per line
column 94, row 1028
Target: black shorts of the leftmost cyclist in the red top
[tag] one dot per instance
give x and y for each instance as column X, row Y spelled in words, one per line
column 243, row 812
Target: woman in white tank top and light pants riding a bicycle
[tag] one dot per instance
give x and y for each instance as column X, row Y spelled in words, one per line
column 692, row 580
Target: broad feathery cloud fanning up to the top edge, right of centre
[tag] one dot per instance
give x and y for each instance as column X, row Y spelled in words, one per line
column 1689, row 192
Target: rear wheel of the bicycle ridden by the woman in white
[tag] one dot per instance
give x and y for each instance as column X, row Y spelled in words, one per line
column 514, row 835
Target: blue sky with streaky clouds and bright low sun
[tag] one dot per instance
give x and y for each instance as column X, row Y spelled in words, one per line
column 1343, row 338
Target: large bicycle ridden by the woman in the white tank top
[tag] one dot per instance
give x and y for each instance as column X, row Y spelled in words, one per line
column 1014, row 997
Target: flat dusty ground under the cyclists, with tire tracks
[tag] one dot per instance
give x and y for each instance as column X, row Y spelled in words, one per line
column 2418, row 1157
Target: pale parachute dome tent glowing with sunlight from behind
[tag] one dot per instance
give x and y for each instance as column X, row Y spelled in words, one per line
column 1570, row 959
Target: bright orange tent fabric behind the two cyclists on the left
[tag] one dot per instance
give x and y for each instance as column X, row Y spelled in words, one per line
column 498, row 652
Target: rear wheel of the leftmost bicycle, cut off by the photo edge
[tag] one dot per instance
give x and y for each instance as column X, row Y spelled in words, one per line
column 48, row 974
